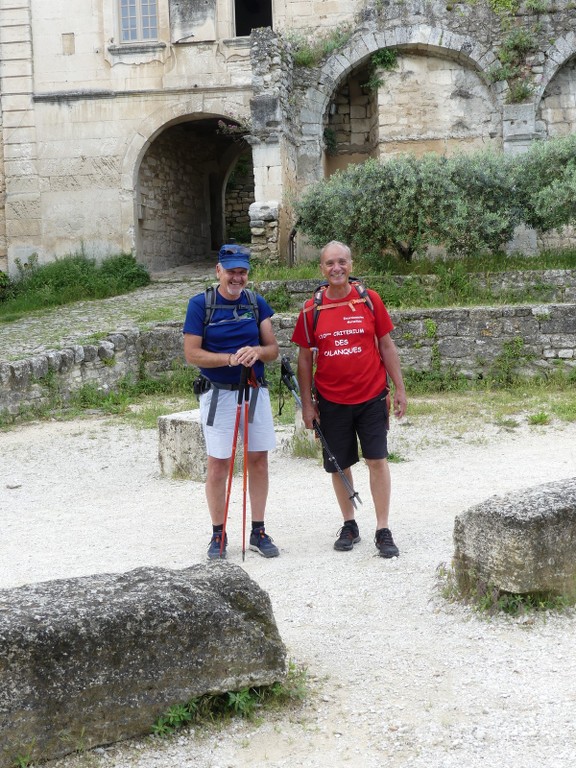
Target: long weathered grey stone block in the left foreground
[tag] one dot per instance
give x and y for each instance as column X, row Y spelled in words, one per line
column 98, row 659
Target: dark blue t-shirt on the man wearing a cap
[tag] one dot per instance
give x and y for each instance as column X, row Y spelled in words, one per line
column 227, row 331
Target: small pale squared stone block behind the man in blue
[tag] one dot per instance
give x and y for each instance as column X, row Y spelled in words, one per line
column 181, row 445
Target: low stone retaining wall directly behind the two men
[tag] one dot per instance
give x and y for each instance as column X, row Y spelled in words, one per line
column 468, row 340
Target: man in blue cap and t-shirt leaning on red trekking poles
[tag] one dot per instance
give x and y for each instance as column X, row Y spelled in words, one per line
column 235, row 336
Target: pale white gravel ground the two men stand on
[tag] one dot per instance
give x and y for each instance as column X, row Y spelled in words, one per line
column 397, row 676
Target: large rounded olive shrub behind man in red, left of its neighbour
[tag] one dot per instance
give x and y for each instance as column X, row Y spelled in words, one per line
column 405, row 204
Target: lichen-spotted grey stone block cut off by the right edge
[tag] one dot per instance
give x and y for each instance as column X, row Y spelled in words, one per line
column 523, row 542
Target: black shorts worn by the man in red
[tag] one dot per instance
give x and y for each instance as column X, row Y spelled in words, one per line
column 344, row 425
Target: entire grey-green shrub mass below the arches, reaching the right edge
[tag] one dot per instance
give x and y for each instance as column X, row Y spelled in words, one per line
column 468, row 204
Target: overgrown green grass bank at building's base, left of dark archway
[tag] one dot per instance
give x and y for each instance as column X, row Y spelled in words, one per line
column 66, row 280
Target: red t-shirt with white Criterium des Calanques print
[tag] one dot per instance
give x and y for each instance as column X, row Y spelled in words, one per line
column 349, row 368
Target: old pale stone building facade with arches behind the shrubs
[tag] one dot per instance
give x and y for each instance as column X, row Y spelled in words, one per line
column 121, row 121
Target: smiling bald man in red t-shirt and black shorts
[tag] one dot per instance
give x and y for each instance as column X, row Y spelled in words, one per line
column 347, row 336
